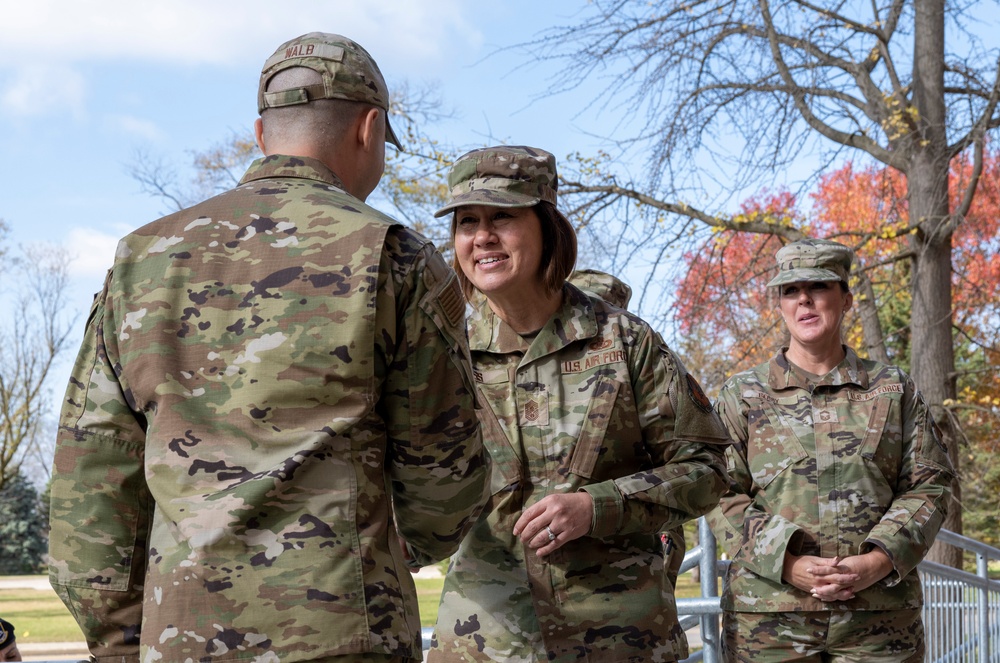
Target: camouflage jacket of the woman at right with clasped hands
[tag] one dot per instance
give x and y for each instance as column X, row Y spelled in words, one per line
column 834, row 467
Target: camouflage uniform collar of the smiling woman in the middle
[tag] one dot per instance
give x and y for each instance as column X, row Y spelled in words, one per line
column 575, row 319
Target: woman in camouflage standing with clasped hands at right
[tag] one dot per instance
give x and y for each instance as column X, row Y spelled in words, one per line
column 839, row 484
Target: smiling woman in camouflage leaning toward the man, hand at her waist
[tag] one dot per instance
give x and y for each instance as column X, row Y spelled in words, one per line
column 599, row 437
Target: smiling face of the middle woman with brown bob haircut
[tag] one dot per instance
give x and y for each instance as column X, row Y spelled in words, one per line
column 500, row 250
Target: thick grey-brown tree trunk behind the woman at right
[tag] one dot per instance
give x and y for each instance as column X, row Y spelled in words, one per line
column 933, row 356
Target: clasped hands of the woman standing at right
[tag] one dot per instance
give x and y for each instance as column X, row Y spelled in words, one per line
column 836, row 578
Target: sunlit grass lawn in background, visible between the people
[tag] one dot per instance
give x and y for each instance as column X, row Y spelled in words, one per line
column 39, row 615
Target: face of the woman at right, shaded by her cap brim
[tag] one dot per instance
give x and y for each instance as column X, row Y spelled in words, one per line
column 813, row 312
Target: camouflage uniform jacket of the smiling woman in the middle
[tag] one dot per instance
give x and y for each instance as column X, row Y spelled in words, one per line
column 596, row 402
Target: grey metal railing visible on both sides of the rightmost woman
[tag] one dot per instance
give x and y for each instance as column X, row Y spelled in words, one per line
column 961, row 609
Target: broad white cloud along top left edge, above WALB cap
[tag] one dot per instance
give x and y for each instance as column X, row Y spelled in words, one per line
column 225, row 32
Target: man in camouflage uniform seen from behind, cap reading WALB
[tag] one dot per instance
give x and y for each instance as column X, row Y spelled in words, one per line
column 272, row 414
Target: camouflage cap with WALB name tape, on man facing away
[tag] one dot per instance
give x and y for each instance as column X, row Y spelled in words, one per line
column 348, row 72
